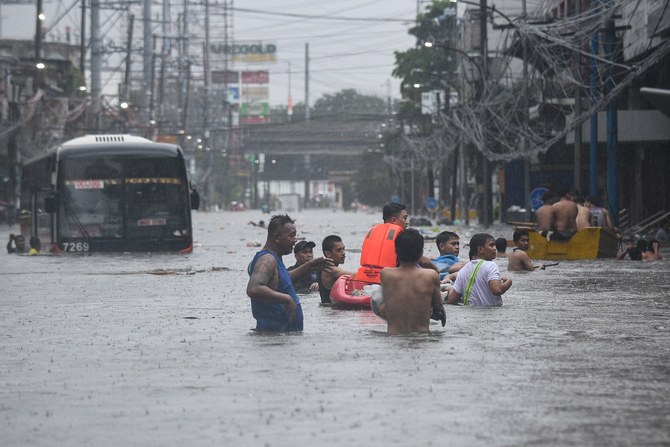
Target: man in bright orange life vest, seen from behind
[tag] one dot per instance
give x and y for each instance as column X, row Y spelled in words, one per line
column 379, row 244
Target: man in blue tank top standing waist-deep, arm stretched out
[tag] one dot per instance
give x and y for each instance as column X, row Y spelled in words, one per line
column 274, row 303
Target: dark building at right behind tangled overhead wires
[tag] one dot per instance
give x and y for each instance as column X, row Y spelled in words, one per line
column 627, row 170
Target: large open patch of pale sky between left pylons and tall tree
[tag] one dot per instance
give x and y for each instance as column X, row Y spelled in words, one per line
column 343, row 53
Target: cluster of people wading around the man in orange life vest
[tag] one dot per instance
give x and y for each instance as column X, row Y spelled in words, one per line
column 391, row 256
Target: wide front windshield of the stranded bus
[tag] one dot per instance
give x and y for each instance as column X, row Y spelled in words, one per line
column 123, row 198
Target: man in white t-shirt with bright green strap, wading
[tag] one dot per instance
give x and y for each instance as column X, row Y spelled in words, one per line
column 479, row 282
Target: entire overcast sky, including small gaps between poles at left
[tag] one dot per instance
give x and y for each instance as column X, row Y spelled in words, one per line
column 351, row 42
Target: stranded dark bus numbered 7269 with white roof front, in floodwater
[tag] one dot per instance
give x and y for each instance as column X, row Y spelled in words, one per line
column 109, row 193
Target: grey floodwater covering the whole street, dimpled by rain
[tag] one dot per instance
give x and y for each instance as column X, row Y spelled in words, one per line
column 155, row 350
